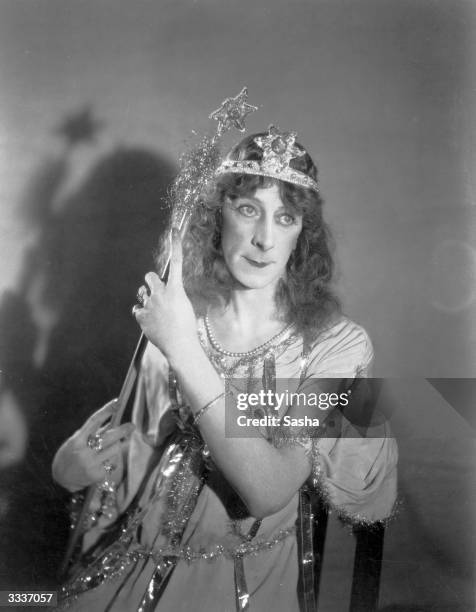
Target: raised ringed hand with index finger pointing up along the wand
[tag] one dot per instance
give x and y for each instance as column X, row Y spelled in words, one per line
column 167, row 317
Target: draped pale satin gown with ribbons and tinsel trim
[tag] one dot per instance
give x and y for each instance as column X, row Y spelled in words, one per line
column 184, row 513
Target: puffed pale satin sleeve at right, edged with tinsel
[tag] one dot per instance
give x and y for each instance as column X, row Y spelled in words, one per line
column 354, row 470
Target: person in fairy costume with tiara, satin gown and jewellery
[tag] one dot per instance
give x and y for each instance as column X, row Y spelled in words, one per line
column 195, row 511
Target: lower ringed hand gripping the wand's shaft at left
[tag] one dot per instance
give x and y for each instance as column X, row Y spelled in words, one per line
column 76, row 465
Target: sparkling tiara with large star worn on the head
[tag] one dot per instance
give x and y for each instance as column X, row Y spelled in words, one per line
column 278, row 150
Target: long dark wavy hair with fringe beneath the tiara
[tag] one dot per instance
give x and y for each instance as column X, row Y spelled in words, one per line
column 305, row 296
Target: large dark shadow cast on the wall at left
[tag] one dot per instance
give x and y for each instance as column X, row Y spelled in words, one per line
column 67, row 336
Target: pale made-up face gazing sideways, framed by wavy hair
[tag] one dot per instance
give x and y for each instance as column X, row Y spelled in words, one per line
column 258, row 236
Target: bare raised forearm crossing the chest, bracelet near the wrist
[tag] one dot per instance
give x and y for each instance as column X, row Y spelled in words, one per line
column 266, row 477
